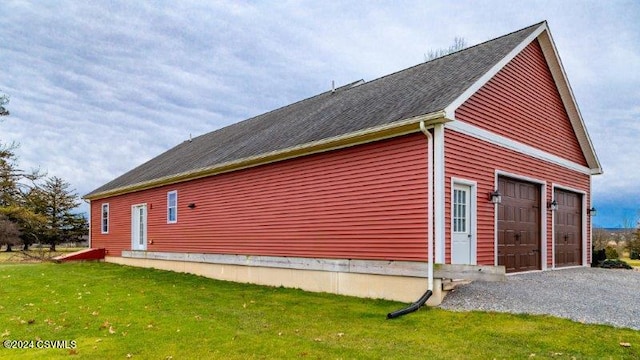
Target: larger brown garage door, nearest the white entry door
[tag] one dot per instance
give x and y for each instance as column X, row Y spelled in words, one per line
column 518, row 225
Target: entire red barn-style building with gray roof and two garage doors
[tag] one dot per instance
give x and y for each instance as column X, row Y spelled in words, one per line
column 333, row 193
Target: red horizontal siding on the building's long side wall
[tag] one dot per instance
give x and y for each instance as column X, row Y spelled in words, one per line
column 364, row 202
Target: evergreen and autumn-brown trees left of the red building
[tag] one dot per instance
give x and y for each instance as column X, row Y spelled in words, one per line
column 34, row 208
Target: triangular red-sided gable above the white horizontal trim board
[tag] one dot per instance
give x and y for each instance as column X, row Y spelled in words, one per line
column 522, row 102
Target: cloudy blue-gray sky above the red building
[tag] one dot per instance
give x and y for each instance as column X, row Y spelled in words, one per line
column 99, row 87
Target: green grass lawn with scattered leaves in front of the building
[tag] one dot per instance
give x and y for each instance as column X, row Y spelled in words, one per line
column 118, row 312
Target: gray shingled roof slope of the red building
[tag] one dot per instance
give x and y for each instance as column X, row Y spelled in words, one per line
column 422, row 89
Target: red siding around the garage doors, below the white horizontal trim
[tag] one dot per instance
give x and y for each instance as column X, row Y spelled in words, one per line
column 473, row 159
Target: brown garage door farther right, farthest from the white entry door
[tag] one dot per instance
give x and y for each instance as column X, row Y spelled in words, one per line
column 568, row 228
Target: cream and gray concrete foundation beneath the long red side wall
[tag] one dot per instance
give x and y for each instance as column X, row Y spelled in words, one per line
column 403, row 281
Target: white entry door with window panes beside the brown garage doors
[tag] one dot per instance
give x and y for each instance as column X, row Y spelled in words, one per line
column 461, row 235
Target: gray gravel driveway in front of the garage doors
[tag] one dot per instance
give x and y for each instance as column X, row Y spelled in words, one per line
column 588, row 295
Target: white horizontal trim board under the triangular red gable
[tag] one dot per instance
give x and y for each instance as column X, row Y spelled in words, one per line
column 514, row 145
